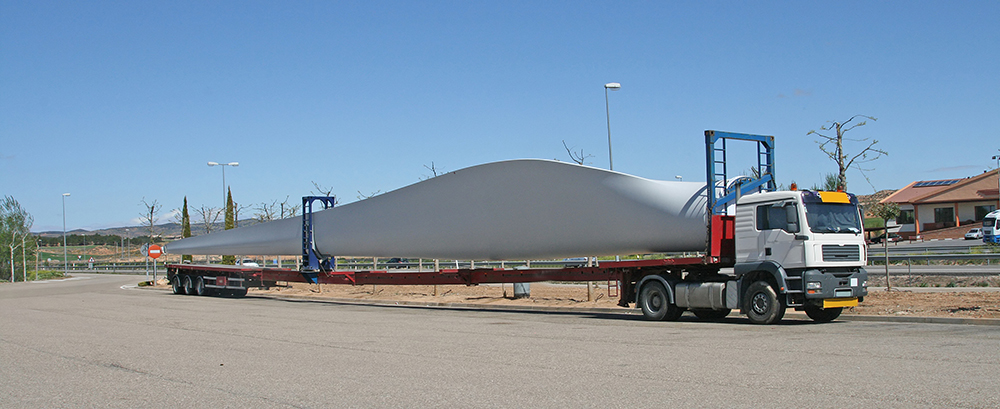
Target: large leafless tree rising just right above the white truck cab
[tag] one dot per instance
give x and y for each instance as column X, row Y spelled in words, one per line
column 833, row 146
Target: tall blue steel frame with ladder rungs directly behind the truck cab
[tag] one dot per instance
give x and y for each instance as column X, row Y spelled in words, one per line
column 720, row 196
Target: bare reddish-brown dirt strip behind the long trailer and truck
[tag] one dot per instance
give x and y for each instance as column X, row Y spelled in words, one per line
column 961, row 303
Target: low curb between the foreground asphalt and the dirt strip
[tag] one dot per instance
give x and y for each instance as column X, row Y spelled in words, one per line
column 632, row 312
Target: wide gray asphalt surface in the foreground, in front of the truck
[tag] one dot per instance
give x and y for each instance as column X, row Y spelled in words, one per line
column 89, row 343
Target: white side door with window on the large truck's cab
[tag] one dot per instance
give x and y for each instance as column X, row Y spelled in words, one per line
column 778, row 224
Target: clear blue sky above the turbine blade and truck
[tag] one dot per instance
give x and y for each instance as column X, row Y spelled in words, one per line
column 115, row 102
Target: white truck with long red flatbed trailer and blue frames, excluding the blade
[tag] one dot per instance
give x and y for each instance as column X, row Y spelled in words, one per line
column 787, row 249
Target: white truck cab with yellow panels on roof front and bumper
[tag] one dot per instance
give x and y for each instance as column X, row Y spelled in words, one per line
column 807, row 245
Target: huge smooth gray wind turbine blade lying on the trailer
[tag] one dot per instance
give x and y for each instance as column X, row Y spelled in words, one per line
column 510, row 210
